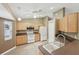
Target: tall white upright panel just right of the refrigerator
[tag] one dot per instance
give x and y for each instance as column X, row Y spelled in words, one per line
column 51, row 30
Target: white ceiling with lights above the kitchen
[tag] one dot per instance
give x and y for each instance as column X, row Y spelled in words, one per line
column 30, row 10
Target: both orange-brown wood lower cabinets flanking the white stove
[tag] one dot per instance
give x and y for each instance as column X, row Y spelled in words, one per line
column 22, row 39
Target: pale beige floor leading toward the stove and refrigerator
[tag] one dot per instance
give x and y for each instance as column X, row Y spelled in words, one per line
column 28, row 49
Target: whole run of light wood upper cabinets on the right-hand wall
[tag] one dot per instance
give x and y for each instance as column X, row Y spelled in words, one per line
column 69, row 23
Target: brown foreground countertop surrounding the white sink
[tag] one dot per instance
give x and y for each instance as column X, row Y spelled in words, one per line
column 69, row 49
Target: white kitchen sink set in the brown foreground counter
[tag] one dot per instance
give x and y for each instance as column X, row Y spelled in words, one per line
column 50, row 47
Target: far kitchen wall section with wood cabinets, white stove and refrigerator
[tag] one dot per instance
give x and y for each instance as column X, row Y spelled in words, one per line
column 31, row 29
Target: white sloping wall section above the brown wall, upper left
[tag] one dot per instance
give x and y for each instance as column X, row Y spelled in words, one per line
column 4, row 13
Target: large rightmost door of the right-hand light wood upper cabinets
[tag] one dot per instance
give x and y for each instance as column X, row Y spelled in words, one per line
column 72, row 22
